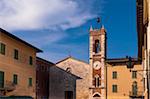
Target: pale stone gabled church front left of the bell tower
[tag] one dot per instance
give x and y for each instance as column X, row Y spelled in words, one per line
column 80, row 69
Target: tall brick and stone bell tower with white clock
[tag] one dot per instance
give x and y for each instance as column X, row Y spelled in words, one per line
column 97, row 52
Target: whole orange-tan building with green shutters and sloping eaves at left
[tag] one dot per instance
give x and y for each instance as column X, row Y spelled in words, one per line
column 17, row 66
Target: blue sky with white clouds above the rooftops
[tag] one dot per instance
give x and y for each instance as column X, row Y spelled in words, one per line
column 61, row 27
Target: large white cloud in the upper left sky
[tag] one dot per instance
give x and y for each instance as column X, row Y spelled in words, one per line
column 39, row 14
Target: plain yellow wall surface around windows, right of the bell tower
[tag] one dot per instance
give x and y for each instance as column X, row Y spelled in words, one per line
column 124, row 81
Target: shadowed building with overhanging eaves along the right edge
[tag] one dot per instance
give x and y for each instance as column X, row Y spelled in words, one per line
column 143, row 29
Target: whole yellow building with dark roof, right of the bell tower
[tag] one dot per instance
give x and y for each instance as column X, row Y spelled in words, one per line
column 123, row 81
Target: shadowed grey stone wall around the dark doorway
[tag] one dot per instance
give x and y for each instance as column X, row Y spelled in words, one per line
column 59, row 82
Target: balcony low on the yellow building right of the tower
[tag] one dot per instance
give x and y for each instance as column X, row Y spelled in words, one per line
column 136, row 94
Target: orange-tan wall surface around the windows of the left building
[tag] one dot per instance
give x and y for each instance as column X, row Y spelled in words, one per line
column 21, row 67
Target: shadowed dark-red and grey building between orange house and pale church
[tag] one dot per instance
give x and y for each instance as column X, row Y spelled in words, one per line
column 54, row 82
